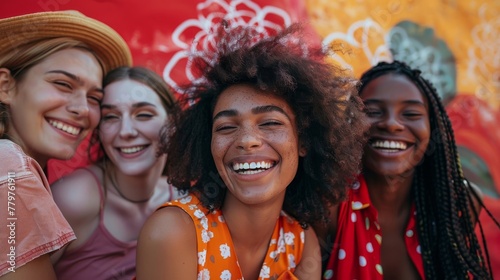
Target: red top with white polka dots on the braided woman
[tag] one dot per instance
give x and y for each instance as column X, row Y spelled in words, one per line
column 357, row 247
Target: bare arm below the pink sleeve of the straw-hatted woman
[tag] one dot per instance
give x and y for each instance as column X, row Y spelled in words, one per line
column 39, row 268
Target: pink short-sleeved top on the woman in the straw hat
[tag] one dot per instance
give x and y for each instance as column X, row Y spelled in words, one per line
column 32, row 223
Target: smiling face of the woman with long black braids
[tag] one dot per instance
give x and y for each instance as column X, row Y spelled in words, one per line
column 400, row 129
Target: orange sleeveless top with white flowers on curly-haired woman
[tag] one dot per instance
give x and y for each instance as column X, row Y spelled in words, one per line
column 216, row 256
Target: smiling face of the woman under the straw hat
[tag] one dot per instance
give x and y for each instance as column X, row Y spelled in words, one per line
column 55, row 104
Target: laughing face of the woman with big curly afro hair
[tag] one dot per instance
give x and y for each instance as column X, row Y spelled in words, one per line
column 254, row 144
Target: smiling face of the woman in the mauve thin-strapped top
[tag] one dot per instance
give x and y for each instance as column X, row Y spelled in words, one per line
column 132, row 116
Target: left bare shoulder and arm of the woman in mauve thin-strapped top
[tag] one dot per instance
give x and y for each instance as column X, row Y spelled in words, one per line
column 77, row 196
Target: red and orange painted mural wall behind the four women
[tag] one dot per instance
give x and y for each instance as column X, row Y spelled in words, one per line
column 455, row 43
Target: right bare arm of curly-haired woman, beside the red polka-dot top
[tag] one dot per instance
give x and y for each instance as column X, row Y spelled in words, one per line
column 310, row 264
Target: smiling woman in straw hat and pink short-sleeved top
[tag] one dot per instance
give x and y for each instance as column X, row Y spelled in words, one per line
column 51, row 70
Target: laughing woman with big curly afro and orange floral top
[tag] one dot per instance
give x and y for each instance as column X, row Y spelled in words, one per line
column 272, row 138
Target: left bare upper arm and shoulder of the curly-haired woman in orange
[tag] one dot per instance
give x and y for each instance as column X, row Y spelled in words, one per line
column 167, row 246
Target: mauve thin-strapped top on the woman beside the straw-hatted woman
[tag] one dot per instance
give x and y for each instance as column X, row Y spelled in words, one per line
column 101, row 257
